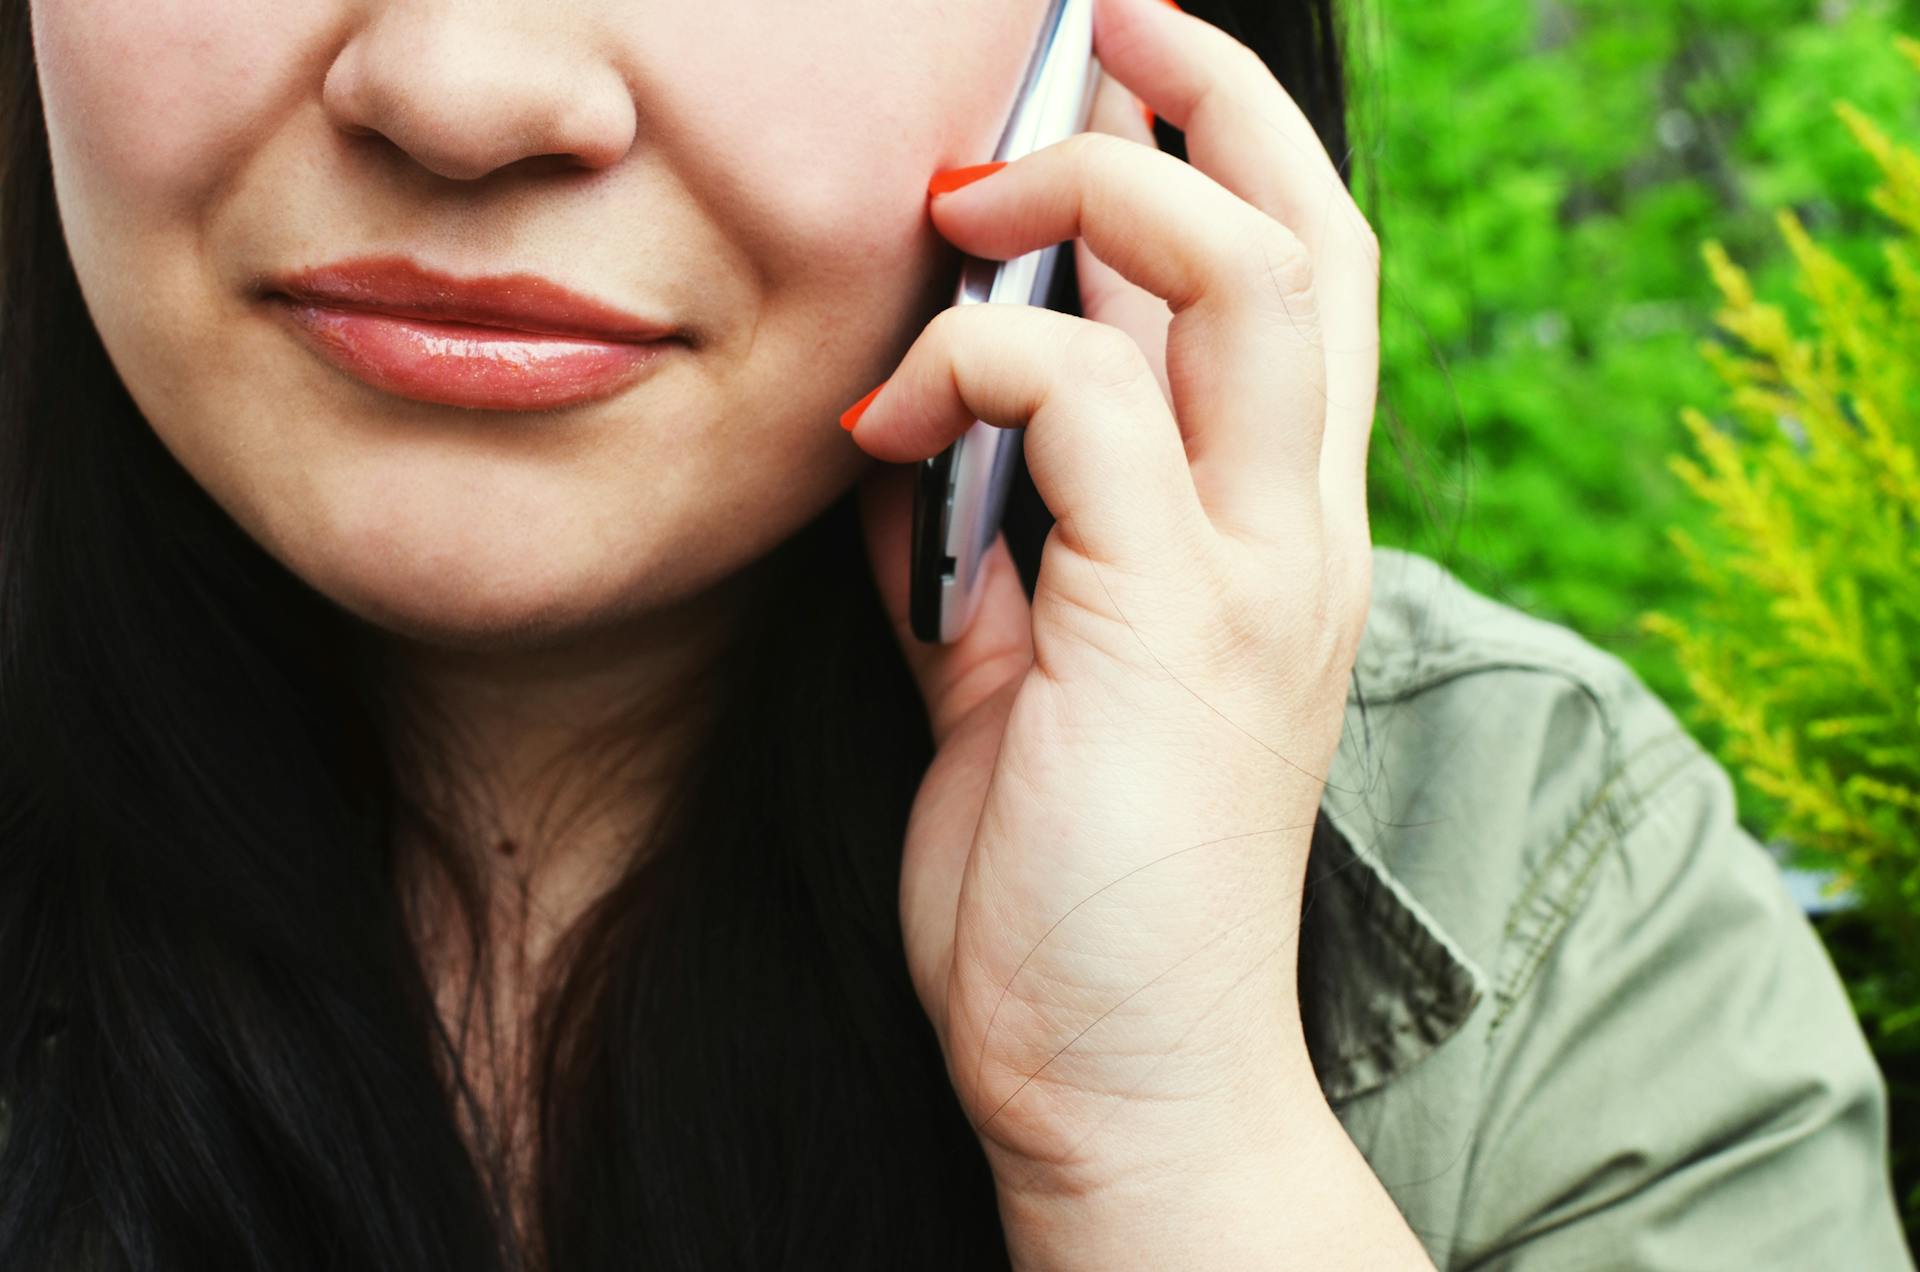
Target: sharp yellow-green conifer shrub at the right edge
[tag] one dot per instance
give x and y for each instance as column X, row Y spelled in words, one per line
column 1802, row 647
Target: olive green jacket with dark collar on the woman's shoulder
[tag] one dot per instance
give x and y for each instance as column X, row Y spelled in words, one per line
column 1556, row 994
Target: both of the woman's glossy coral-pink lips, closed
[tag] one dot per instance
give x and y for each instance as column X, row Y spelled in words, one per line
column 502, row 343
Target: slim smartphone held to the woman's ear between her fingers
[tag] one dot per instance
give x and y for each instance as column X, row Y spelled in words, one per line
column 963, row 491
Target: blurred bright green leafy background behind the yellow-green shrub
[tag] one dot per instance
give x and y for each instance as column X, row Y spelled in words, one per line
column 1543, row 176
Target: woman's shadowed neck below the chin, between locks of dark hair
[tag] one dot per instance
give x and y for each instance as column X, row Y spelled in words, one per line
column 542, row 770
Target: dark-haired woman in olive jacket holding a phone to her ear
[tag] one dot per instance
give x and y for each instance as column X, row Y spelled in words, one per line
column 471, row 798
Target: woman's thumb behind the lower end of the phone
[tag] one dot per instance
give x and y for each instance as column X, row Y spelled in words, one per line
column 997, row 645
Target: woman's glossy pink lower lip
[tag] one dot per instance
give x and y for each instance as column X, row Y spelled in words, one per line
column 460, row 364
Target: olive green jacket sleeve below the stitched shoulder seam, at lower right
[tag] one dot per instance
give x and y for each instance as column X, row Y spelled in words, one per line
column 1677, row 1081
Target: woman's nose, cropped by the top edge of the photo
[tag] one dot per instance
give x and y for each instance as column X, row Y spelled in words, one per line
column 469, row 89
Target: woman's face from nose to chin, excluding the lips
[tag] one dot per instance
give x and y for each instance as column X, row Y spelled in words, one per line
column 746, row 172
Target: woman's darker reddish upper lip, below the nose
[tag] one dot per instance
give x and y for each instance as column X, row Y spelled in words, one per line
column 523, row 303
